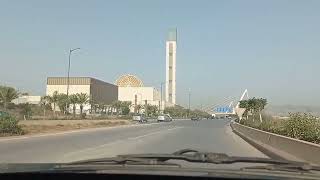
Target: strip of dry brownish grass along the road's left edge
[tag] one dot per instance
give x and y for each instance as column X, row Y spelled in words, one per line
column 51, row 126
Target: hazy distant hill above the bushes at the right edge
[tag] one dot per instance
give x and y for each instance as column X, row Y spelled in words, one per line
column 283, row 110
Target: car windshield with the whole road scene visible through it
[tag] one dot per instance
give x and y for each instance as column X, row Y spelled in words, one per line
column 94, row 79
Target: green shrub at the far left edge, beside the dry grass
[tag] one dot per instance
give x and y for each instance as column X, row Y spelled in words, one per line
column 9, row 126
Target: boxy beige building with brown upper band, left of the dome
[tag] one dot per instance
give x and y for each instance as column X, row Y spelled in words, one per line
column 99, row 91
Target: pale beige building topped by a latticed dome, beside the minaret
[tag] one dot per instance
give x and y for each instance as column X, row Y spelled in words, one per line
column 131, row 88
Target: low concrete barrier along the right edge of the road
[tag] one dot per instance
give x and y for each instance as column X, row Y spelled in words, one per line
column 279, row 146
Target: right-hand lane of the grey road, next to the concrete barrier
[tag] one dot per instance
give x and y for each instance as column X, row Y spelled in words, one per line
column 205, row 135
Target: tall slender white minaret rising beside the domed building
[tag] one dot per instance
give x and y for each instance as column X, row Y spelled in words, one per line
column 171, row 57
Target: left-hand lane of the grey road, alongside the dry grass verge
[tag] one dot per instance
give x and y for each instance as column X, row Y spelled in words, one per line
column 52, row 147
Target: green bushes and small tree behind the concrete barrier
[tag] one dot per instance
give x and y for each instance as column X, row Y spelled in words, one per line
column 302, row 126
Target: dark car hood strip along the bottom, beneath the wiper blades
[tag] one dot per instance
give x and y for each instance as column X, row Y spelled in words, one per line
column 156, row 170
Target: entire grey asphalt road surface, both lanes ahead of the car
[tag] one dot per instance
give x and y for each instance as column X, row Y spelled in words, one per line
column 206, row 135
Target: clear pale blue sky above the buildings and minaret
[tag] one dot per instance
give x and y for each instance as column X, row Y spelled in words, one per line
column 270, row 47
